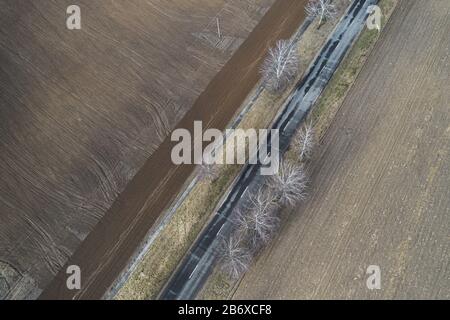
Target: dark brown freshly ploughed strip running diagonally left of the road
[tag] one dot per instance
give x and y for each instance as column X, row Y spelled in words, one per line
column 107, row 248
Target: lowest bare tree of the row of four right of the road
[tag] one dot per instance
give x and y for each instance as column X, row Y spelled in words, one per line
column 235, row 257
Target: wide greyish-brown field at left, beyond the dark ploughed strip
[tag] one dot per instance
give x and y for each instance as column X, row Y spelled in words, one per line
column 81, row 112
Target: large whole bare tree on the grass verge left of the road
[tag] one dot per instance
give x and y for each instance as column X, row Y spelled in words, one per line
column 280, row 66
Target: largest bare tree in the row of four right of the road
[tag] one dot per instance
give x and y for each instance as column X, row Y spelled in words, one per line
column 258, row 217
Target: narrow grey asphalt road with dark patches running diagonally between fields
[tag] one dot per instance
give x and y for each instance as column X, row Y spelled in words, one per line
column 197, row 265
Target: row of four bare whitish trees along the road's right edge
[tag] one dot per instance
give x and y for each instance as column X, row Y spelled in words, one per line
column 257, row 218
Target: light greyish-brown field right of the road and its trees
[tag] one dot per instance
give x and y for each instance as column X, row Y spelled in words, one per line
column 380, row 191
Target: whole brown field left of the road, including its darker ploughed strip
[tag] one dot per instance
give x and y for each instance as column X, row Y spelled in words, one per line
column 84, row 119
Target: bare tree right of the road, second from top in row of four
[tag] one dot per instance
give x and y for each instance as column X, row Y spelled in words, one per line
column 290, row 183
